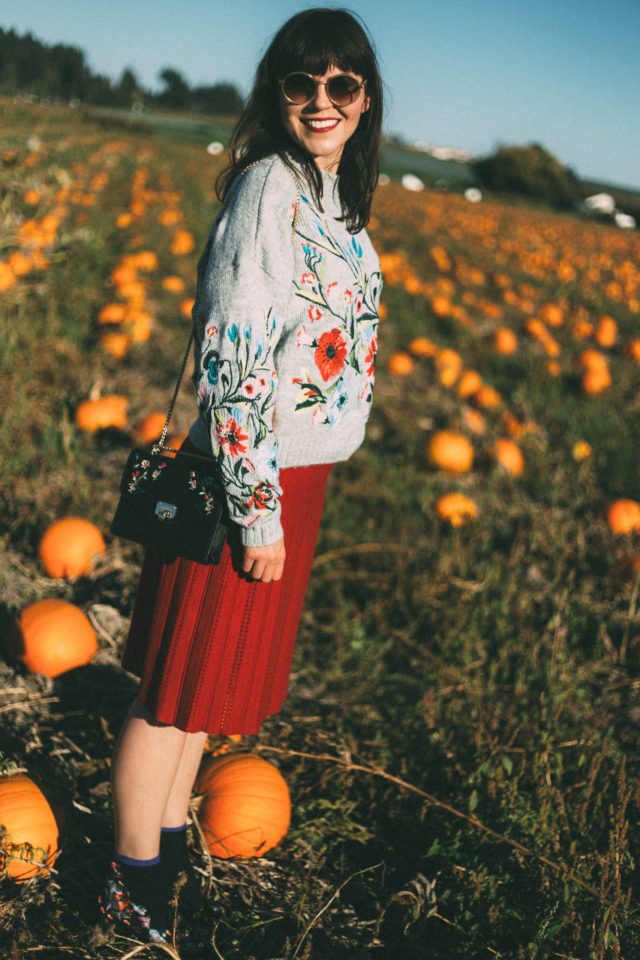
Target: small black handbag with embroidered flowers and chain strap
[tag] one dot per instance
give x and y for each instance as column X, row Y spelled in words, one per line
column 171, row 500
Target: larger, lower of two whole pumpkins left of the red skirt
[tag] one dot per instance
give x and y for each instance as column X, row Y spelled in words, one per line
column 51, row 636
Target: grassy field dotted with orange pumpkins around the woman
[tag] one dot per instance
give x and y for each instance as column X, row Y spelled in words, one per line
column 456, row 770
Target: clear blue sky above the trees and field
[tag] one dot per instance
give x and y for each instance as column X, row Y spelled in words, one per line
column 563, row 73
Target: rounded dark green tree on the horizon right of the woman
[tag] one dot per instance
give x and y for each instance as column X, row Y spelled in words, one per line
column 531, row 171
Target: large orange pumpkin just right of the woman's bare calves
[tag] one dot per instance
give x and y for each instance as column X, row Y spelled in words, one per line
column 245, row 808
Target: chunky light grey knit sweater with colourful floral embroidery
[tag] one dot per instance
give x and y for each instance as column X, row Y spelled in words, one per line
column 285, row 339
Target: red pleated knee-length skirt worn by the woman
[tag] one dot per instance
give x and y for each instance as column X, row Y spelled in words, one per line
column 212, row 648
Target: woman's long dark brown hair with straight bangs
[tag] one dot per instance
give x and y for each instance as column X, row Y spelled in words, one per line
column 313, row 41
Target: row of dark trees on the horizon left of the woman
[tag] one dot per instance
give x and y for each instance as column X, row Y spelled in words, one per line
column 60, row 72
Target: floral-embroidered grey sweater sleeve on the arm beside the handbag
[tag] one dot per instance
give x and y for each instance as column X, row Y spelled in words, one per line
column 245, row 284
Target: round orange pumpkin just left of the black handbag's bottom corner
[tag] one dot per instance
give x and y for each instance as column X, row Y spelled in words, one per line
column 68, row 547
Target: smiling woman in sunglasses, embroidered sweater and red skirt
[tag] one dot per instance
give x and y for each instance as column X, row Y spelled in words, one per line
column 285, row 325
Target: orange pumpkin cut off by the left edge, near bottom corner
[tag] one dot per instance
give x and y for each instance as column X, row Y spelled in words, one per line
column 29, row 840
